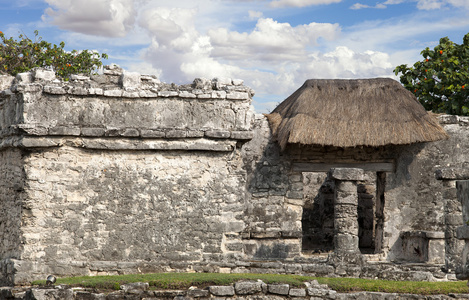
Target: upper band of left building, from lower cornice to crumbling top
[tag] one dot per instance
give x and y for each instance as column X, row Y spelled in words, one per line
column 118, row 107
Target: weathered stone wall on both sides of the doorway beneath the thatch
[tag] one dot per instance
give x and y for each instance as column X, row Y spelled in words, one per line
column 415, row 212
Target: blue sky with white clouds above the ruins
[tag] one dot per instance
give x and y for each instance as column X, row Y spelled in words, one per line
column 273, row 45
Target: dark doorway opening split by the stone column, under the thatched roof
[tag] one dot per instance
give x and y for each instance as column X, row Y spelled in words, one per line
column 318, row 212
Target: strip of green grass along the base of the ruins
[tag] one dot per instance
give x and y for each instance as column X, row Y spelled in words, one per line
column 201, row 280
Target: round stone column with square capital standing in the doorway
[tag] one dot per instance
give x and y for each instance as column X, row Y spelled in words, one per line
column 346, row 208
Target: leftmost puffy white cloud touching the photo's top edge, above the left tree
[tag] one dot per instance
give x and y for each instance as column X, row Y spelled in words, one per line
column 111, row 18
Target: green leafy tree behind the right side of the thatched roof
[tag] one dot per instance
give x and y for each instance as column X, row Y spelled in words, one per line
column 441, row 80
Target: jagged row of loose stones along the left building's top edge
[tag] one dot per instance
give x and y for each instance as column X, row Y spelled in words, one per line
column 116, row 82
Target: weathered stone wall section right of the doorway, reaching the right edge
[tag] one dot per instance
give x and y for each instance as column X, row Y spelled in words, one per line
column 423, row 205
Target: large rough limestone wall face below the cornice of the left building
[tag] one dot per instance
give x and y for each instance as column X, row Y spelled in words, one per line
column 113, row 208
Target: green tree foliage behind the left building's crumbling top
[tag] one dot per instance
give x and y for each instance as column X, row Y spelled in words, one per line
column 17, row 56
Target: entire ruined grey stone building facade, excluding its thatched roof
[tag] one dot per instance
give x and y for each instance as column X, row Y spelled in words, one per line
column 120, row 173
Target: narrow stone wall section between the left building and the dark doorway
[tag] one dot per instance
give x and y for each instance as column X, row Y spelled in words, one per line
column 274, row 199
